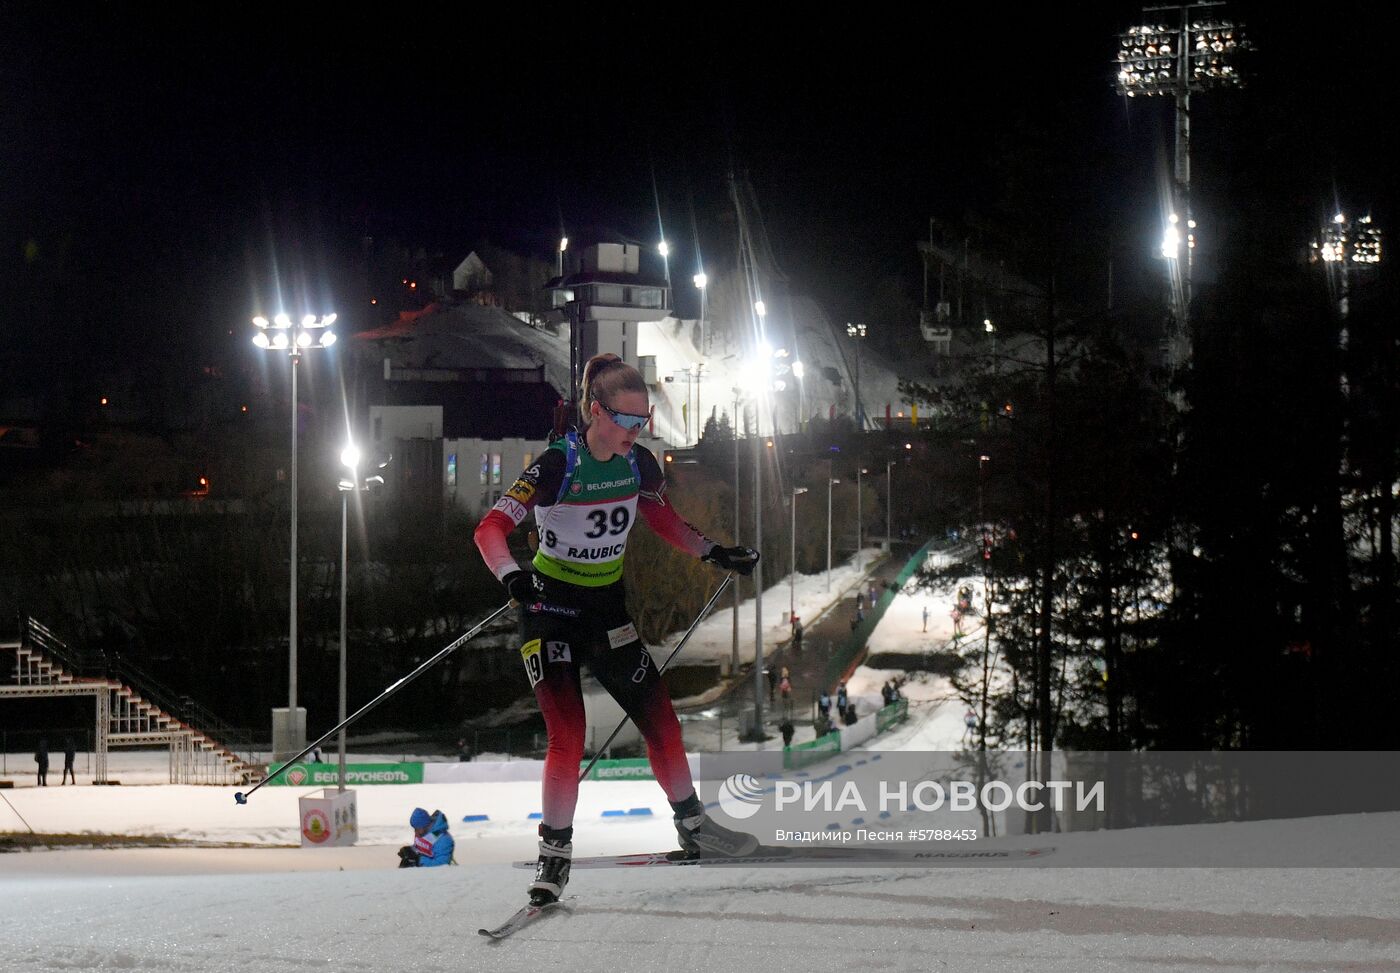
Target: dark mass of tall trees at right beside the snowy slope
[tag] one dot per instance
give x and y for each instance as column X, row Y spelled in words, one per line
column 1213, row 577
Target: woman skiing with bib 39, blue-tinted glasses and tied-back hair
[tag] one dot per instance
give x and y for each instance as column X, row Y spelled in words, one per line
column 587, row 491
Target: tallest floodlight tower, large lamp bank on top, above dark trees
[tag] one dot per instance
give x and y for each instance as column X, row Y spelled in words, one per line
column 1195, row 55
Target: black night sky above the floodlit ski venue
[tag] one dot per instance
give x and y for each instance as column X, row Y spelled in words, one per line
column 157, row 164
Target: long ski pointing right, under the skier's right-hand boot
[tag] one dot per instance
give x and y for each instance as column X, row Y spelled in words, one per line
column 831, row 856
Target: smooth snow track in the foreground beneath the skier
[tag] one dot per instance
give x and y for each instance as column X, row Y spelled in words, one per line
column 292, row 911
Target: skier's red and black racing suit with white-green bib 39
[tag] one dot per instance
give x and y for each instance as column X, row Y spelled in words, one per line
column 584, row 510
